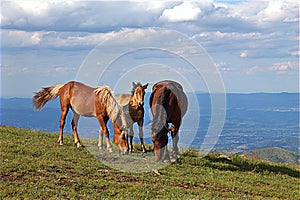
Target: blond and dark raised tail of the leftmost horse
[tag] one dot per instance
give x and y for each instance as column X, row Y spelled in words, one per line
column 46, row 94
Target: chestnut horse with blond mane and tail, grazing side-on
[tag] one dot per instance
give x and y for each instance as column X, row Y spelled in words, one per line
column 89, row 102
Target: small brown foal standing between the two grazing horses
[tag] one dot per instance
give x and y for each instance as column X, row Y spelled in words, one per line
column 134, row 103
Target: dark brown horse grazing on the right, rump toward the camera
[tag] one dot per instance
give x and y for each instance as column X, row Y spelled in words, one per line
column 168, row 104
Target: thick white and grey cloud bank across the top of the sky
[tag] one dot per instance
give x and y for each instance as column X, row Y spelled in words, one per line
column 104, row 16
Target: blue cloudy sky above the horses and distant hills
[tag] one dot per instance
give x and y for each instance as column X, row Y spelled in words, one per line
column 214, row 46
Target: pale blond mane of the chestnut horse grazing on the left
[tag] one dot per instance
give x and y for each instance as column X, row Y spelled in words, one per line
column 108, row 99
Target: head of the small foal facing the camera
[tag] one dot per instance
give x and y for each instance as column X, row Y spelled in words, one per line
column 138, row 93
